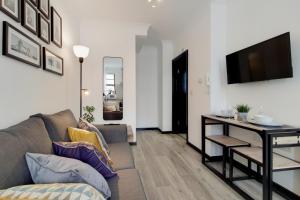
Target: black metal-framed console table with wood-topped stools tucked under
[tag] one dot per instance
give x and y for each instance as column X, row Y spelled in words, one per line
column 271, row 138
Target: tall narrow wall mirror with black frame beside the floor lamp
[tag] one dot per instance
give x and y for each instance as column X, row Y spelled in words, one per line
column 113, row 88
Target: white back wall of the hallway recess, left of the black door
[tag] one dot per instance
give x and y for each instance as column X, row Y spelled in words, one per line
column 147, row 77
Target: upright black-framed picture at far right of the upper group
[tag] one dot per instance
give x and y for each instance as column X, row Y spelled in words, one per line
column 56, row 28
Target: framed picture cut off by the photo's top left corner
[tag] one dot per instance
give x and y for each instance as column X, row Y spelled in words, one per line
column 11, row 8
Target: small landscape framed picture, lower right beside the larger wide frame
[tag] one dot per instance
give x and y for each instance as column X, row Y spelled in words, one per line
column 53, row 63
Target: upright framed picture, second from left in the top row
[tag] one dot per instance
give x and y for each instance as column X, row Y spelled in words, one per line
column 29, row 17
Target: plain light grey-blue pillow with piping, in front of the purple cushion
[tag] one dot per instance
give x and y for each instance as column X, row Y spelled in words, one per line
column 47, row 169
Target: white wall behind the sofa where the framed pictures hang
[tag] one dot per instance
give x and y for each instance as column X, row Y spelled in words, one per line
column 26, row 90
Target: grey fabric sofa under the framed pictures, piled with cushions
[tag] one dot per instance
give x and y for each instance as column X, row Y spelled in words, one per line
column 36, row 134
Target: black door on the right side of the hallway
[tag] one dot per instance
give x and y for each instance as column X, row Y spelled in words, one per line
column 180, row 95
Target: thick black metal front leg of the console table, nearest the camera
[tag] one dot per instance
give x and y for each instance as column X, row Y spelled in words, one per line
column 267, row 167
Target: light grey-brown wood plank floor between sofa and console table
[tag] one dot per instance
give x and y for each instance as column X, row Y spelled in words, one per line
column 171, row 170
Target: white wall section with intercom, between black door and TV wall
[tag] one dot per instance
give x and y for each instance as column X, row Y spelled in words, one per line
column 196, row 38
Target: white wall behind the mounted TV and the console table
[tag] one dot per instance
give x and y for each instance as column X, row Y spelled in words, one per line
column 247, row 23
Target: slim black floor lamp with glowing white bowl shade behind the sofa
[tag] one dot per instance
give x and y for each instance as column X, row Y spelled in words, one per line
column 81, row 52
